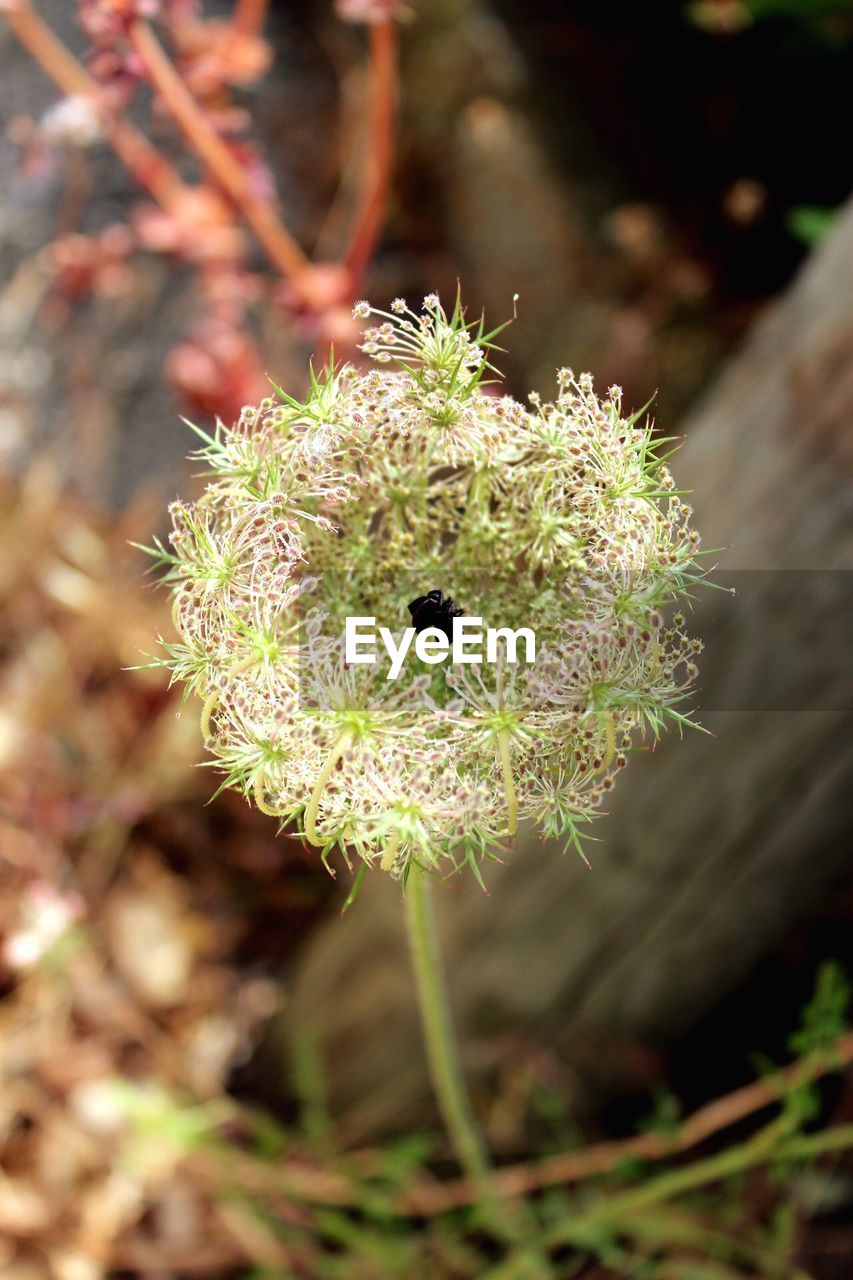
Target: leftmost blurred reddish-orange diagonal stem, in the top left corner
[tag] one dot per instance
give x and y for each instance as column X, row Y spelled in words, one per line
column 150, row 170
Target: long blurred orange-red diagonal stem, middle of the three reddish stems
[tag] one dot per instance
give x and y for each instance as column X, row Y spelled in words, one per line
column 217, row 157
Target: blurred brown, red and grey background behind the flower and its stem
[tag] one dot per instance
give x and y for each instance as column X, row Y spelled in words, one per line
column 191, row 199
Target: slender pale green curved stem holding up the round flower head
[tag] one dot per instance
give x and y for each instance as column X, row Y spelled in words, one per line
column 443, row 1057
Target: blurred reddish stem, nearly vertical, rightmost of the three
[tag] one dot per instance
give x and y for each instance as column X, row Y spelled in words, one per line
column 373, row 200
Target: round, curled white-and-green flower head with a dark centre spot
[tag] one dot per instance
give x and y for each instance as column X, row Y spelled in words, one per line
column 389, row 483
